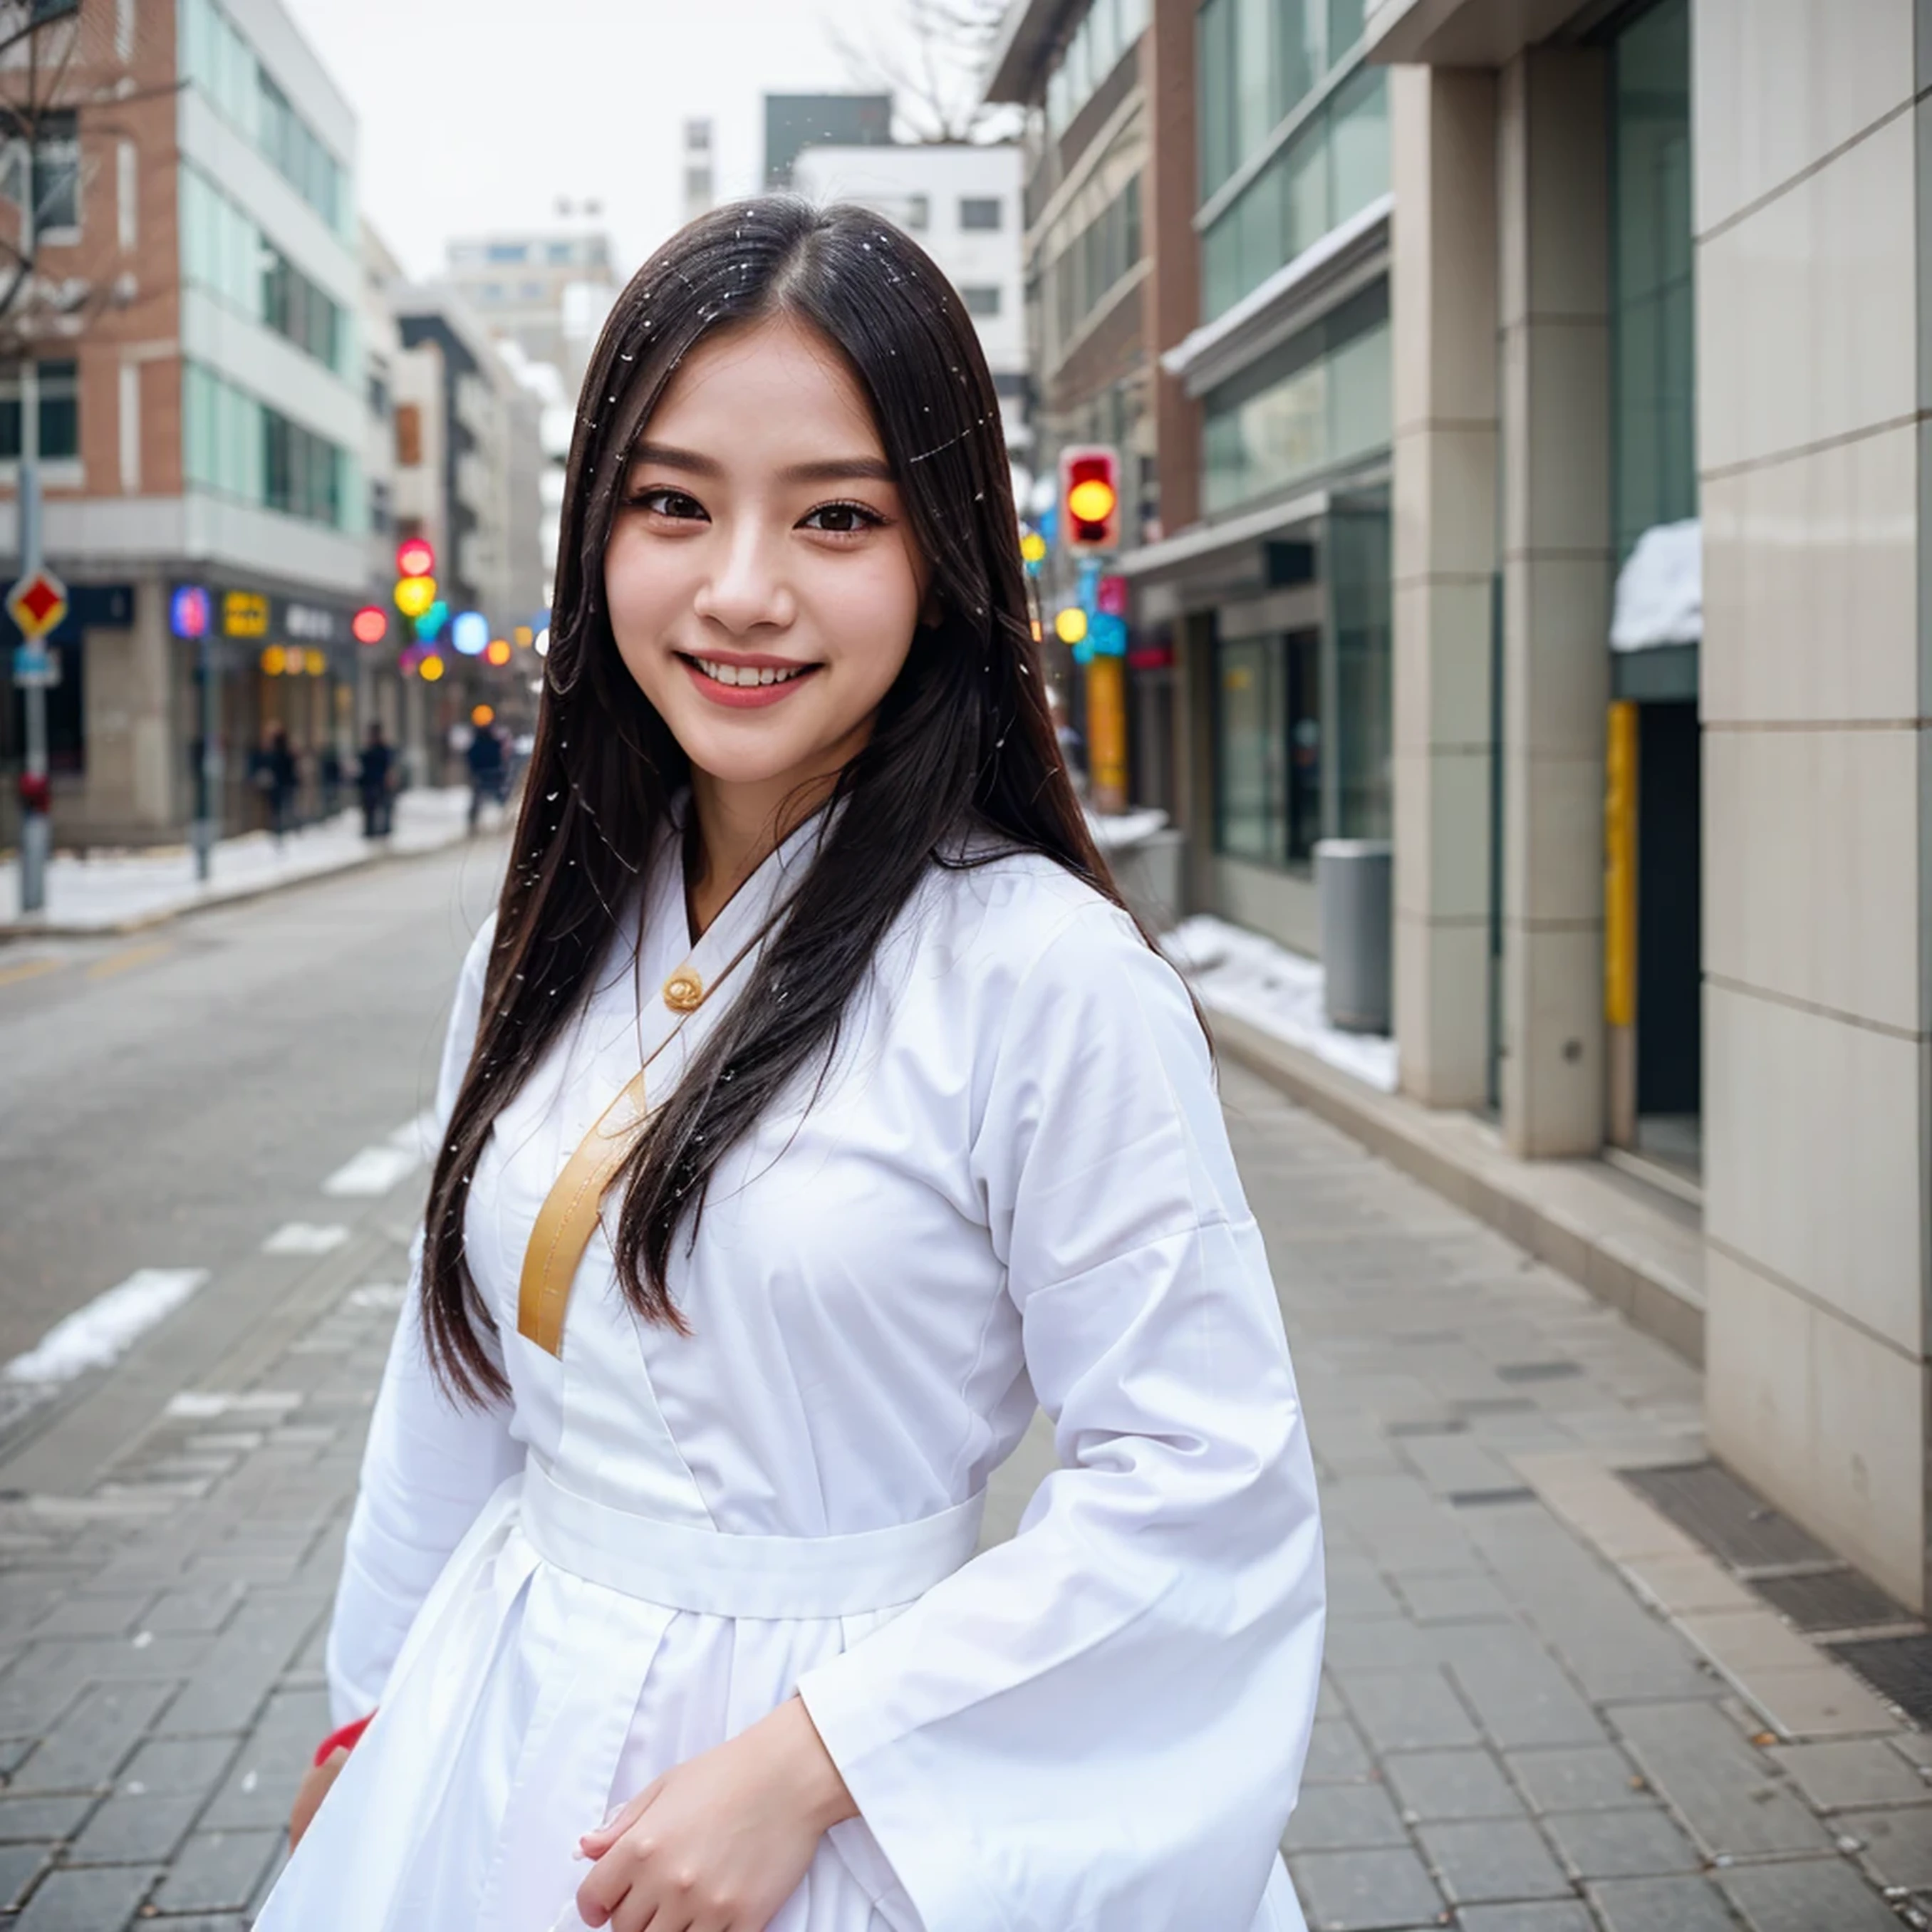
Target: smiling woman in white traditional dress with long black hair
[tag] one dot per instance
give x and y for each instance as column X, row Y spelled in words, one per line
column 664, row 1554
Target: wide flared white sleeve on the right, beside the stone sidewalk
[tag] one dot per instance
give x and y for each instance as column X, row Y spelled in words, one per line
column 1102, row 1722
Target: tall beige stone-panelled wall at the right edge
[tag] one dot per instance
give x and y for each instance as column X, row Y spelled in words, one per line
column 1817, row 774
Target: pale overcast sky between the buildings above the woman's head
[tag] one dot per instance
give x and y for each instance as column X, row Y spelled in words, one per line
column 482, row 113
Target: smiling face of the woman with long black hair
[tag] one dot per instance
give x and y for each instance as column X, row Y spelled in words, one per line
column 762, row 581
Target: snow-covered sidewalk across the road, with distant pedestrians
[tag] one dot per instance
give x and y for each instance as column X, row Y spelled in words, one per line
column 130, row 890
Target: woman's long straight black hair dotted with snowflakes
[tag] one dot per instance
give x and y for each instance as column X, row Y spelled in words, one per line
column 963, row 743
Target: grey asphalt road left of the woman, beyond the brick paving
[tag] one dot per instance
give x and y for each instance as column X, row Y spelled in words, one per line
column 169, row 1098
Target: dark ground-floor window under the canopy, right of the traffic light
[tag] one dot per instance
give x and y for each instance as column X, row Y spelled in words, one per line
column 1268, row 747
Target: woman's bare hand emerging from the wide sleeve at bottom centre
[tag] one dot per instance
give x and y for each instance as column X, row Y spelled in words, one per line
column 722, row 1842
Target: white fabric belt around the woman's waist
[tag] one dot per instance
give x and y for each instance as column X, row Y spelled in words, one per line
column 727, row 1576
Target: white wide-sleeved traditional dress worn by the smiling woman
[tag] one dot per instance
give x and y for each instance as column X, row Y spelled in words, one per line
column 1013, row 1187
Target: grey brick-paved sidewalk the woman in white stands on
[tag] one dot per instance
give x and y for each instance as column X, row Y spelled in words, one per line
column 1510, row 1740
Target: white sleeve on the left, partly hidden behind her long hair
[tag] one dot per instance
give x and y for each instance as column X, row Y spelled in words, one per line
column 430, row 1463
